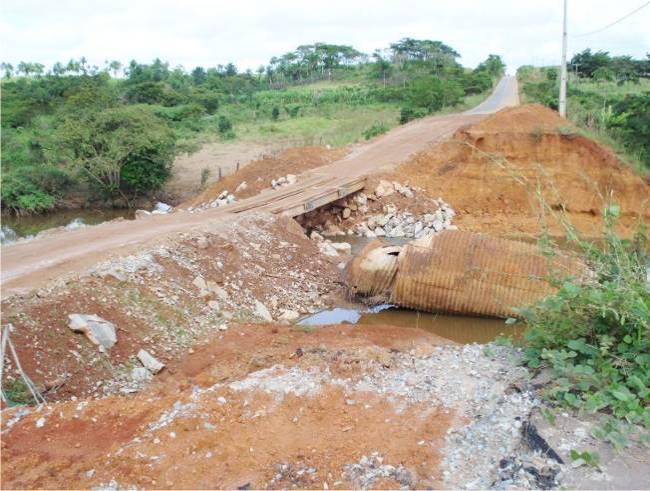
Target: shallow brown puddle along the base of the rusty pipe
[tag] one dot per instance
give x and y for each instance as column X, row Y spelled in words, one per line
column 458, row 328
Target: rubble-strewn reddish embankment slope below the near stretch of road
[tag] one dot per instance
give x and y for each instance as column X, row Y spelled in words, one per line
column 168, row 296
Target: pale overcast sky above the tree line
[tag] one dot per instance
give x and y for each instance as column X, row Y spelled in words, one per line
column 249, row 32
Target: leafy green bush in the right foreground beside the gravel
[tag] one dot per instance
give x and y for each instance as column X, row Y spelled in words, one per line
column 595, row 337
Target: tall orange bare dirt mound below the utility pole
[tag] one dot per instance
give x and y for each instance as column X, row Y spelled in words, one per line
column 490, row 174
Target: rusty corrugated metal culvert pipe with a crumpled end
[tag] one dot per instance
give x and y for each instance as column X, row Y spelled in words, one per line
column 458, row 272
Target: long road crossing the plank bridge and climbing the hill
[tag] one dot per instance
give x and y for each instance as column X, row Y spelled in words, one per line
column 31, row 264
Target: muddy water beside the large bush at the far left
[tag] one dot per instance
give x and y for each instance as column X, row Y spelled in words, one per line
column 33, row 224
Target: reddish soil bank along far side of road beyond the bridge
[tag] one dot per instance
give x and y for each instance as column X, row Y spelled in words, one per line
column 258, row 174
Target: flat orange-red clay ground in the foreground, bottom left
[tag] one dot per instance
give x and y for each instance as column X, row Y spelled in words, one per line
column 242, row 441
